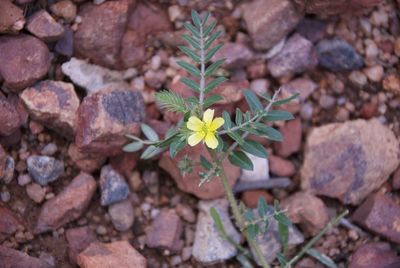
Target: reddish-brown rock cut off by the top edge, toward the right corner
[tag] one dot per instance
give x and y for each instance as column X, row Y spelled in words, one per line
column 333, row 7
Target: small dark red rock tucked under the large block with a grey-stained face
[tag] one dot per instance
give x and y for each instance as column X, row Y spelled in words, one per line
column 86, row 162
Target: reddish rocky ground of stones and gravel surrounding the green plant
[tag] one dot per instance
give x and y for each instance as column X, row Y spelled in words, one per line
column 77, row 76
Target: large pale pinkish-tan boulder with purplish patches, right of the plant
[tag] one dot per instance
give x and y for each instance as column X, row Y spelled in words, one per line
column 349, row 160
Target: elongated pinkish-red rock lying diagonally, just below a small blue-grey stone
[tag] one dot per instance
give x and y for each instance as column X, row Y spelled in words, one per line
column 68, row 205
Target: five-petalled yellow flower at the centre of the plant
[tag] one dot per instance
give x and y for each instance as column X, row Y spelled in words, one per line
column 204, row 130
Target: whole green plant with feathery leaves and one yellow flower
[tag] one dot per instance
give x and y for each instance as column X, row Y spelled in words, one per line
column 223, row 137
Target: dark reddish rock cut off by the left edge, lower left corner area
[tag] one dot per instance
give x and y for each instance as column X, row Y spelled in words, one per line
column 9, row 223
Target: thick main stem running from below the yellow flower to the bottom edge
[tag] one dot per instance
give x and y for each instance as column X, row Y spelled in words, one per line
column 236, row 211
